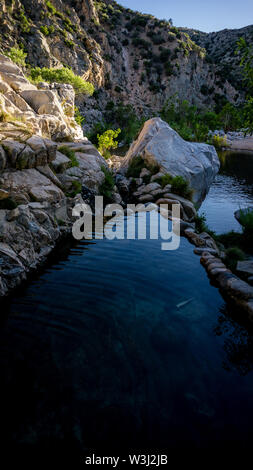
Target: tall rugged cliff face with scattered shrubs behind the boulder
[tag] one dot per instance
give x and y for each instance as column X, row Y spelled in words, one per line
column 129, row 57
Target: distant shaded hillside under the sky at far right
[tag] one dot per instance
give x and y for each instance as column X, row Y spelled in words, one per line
column 221, row 47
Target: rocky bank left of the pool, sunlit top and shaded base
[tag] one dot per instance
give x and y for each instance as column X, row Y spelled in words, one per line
column 46, row 165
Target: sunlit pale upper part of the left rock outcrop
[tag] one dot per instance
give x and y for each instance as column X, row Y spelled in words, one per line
column 26, row 110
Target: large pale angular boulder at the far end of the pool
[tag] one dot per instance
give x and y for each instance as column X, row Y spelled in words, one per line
column 158, row 144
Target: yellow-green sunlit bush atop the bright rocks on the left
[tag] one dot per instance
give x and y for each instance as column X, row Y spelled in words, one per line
column 63, row 75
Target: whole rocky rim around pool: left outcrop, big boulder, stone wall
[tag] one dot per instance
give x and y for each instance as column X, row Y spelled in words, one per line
column 47, row 166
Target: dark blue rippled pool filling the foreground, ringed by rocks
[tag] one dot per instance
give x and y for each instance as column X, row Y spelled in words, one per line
column 96, row 356
